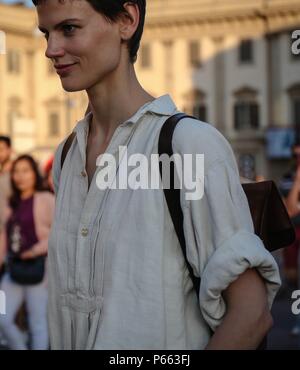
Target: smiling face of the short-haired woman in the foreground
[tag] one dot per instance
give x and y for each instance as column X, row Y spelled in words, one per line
column 80, row 39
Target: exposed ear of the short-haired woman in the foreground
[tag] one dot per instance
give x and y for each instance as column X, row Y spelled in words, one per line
column 129, row 21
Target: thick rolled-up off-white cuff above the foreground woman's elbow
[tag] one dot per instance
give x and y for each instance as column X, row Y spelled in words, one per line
column 242, row 251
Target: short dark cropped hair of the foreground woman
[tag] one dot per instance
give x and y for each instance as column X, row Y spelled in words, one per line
column 112, row 9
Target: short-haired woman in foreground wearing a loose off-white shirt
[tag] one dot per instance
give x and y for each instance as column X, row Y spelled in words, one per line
column 117, row 277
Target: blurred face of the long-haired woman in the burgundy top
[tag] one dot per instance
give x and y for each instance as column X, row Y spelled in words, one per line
column 23, row 176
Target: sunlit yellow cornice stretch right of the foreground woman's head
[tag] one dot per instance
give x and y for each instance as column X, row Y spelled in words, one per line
column 168, row 13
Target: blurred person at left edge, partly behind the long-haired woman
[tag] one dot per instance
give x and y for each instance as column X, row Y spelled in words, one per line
column 5, row 167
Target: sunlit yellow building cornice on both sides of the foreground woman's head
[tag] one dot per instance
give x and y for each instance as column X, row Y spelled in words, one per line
column 212, row 16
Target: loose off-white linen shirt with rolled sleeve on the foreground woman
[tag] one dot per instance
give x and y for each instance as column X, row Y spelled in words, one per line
column 117, row 276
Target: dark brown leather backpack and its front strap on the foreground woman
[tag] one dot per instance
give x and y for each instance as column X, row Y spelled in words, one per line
column 270, row 218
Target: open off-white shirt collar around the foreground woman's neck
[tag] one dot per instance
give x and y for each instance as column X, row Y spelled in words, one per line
column 163, row 105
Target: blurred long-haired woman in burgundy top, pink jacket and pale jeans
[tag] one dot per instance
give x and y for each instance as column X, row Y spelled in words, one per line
column 24, row 245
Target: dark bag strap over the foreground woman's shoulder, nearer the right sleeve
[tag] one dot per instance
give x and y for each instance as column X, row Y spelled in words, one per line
column 172, row 195
